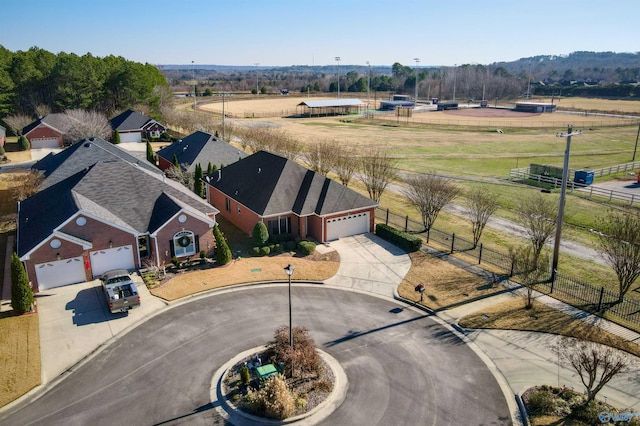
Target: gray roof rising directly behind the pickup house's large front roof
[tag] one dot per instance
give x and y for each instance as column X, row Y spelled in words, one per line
column 81, row 155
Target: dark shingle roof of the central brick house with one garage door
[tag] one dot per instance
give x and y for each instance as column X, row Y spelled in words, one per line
column 270, row 185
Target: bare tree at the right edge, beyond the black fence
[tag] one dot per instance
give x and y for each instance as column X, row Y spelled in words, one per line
column 619, row 239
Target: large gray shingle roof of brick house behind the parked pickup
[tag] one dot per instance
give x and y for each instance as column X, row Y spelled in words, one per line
column 116, row 191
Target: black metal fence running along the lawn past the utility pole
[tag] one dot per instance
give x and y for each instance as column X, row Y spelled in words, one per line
column 595, row 299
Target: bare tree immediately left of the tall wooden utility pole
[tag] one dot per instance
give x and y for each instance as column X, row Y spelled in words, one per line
column 537, row 215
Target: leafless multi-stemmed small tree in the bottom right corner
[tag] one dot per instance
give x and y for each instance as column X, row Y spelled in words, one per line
column 596, row 364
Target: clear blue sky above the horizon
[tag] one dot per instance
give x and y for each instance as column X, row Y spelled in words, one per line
column 285, row 32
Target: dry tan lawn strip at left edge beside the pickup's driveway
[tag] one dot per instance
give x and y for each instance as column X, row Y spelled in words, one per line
column 19, row 355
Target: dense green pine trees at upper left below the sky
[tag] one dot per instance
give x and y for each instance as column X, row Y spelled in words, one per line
column 37, row 80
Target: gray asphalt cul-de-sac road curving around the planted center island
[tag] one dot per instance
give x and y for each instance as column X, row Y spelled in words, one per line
column 403, row 368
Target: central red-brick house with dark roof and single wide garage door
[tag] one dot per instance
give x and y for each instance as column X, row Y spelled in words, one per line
column 288, row 198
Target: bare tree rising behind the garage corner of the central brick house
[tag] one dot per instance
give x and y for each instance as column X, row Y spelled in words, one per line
column 377, row 171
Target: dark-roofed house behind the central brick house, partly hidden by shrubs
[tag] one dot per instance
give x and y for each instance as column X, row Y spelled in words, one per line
column 199, row 148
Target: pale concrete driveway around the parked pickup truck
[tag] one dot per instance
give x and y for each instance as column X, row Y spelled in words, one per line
column 75, row 322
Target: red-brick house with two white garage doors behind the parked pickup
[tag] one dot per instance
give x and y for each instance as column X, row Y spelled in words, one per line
column 115, row 213
